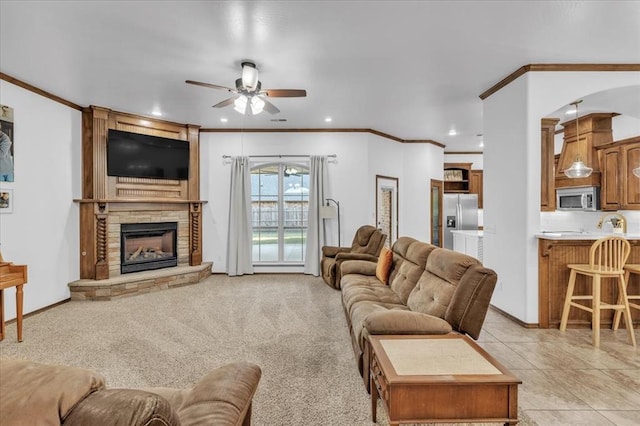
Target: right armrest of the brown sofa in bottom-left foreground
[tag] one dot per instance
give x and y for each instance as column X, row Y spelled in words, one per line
column 222, row 397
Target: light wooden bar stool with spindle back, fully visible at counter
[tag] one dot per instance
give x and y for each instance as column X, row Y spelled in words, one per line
column 607, row 258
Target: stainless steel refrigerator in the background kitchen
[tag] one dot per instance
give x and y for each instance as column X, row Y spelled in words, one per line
column 460, row 212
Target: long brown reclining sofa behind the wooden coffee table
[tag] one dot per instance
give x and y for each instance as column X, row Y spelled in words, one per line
column 431, row 290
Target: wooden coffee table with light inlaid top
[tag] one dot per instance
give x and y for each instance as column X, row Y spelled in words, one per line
column 449, row 378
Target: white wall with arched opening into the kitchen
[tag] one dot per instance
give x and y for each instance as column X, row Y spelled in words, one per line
column 512, row 176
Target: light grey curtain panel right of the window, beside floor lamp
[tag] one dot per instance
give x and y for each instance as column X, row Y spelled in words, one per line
column 315, row 233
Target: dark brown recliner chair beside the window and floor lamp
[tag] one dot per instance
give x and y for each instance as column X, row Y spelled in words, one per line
column 367, row 244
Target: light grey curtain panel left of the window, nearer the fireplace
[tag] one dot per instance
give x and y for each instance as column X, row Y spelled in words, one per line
column 239, row 242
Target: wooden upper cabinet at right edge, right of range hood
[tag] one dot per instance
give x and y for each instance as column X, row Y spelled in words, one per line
column 620, row 187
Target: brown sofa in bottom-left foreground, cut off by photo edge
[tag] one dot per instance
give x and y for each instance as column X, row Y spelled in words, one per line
column 40, row 394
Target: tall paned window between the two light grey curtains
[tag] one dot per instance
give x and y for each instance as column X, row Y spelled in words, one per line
column 279, row 204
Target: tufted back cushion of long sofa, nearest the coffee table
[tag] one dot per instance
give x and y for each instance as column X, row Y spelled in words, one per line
column 436, row 286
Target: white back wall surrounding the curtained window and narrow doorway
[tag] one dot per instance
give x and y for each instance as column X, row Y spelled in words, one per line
column 352, row 179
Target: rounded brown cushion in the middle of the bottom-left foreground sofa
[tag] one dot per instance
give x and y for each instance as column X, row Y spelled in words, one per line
column 123, row 407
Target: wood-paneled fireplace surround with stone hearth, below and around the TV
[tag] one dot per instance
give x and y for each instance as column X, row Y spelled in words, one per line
column 108, row 202
